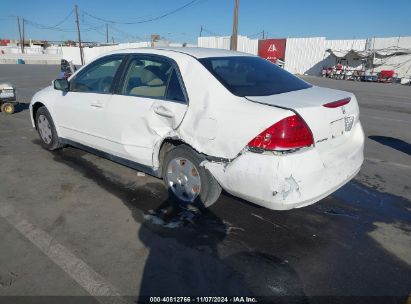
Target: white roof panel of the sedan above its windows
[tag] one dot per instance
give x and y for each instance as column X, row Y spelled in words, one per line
column 197, row 52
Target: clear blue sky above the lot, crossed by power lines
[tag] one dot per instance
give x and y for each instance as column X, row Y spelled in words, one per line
column 343, row 19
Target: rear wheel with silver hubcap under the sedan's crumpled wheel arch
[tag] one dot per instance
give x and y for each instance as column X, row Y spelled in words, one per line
column 182, row 172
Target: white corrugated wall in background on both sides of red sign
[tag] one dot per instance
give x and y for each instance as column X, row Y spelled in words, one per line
column 310, row 55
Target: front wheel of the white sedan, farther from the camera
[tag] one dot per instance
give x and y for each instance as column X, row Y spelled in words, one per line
column 47, row 130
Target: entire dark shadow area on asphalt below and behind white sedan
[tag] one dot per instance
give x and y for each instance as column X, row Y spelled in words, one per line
column 276, row 256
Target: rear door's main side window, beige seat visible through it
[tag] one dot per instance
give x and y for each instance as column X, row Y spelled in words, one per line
column 146, row 78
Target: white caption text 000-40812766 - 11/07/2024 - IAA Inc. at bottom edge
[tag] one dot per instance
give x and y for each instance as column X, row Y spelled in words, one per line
column 203, row 300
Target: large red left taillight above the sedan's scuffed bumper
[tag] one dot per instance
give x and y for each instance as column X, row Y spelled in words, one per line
column 289, row 133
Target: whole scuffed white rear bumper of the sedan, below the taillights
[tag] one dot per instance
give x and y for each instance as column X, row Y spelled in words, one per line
column 293, row 180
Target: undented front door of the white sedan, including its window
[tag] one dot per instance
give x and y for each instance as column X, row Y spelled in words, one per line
column 81, row 110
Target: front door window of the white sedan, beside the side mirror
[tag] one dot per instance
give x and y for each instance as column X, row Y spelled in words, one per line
column 98, row 77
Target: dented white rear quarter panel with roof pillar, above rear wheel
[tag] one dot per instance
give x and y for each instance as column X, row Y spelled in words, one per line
column 217, row 123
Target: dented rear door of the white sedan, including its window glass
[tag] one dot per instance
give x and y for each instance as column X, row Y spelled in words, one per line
column 150, row 102
